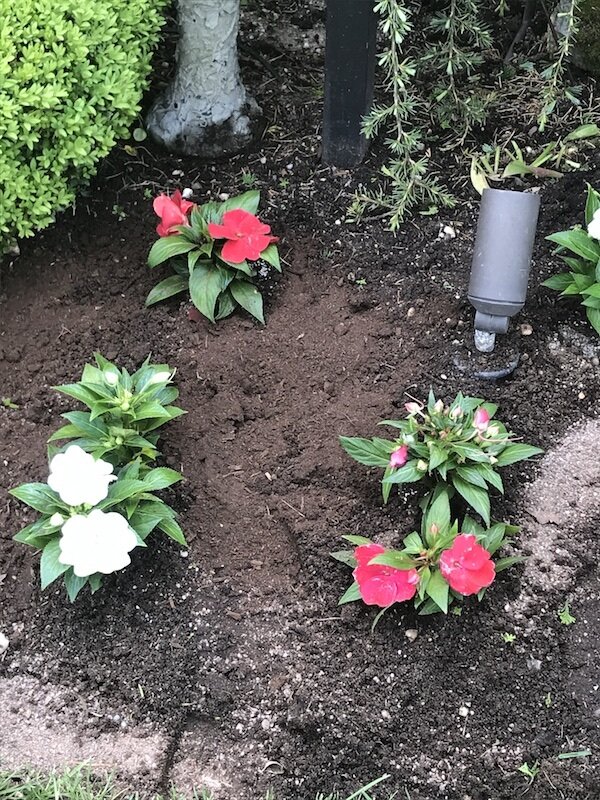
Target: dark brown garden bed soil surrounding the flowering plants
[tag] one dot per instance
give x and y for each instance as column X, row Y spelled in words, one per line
column 228, row 664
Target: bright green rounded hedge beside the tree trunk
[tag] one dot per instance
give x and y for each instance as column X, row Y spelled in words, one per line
column 72, row 74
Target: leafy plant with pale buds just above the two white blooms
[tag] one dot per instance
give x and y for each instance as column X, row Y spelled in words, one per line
column 125, row 411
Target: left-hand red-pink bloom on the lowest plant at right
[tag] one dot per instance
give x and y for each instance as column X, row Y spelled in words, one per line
column 380, row 585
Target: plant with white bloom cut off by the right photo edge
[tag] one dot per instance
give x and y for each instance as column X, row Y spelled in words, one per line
column 583, row 261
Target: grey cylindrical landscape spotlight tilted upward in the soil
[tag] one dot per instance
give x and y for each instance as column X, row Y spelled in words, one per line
column 501, row 261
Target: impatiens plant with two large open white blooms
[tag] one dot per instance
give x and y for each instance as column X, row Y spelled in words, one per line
column 92, row 517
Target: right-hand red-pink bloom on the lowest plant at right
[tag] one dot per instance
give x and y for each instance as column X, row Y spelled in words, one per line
column 467, row 566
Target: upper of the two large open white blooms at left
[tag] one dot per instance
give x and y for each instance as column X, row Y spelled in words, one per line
column 79, row 478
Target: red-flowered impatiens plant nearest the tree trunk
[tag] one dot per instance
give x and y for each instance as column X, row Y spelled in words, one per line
column 216, row 251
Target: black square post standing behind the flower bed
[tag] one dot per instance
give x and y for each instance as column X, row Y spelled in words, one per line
column 349, row 76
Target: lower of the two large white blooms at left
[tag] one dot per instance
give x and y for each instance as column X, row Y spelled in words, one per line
column 97, row 542
